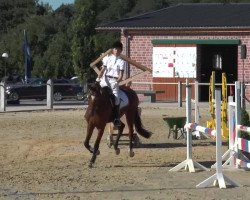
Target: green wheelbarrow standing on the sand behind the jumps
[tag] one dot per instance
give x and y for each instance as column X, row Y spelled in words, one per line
column 176, row 126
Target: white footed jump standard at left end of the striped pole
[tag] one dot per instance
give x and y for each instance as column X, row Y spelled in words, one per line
column 189, row 163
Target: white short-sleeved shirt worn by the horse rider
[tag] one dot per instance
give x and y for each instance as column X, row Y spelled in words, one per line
column 113, row 65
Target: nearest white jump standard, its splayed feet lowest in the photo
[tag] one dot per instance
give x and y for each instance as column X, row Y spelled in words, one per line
column 218, row 178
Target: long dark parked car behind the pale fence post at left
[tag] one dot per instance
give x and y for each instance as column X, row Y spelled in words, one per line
column 37, row 89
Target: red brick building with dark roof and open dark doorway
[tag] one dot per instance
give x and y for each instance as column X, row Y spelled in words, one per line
column 187, row 41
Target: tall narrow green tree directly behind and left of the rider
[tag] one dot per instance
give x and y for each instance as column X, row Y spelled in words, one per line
column 83, row 40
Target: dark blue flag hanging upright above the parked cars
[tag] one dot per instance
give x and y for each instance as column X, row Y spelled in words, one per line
column 27, row 58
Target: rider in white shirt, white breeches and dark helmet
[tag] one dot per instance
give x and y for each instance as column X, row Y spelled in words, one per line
column 111, row 74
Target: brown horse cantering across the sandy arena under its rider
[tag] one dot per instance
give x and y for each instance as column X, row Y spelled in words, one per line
column 100, row 112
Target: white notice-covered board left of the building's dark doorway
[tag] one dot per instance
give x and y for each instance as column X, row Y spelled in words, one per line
column 174, row 62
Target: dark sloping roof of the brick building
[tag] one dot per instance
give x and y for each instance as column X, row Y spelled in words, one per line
column 188, row 16
